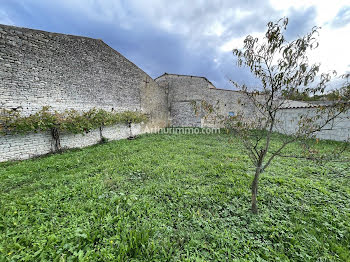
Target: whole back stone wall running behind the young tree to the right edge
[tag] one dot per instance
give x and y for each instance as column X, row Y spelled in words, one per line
column 183, row 91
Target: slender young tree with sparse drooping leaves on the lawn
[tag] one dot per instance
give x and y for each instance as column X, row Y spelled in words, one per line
column 282, row 68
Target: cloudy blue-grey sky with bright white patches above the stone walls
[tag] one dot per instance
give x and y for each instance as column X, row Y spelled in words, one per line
column 192, row 37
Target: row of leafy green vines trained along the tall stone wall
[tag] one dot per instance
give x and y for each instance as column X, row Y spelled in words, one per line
column 51, row 131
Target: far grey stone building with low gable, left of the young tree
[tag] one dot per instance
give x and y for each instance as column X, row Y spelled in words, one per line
column 184, row 90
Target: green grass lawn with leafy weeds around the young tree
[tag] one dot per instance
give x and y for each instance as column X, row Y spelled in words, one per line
column 172, row 198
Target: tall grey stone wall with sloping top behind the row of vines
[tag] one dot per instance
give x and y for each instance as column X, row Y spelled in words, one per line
column 69, row 72
